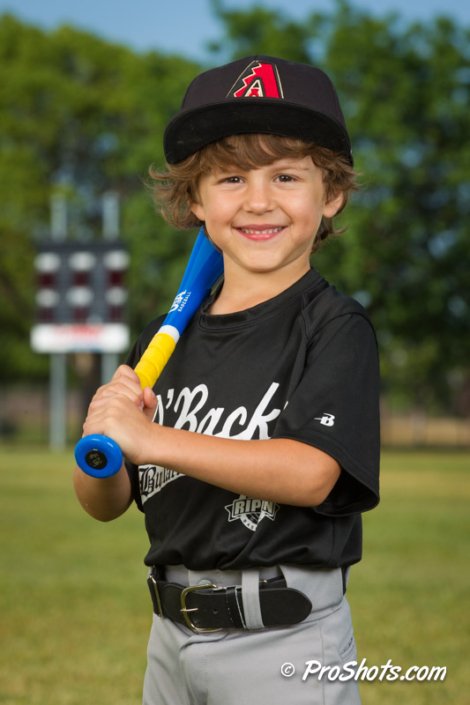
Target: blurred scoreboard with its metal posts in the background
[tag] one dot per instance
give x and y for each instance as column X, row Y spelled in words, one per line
column 80, row 302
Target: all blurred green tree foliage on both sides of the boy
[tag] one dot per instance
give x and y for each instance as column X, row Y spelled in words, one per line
column 83, row 115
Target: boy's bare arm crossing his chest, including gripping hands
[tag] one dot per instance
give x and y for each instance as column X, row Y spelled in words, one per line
column 282, row 470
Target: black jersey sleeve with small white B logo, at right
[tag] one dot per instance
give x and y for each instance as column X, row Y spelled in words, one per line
column 334, row 406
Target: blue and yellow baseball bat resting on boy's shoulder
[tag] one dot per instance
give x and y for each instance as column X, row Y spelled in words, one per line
column 98, row 455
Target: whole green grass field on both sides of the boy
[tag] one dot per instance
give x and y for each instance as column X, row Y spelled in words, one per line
column 75, row 613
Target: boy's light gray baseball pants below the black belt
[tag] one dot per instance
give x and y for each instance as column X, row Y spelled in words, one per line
column 293, row 665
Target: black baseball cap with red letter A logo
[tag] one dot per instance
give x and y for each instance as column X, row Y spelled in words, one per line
column 258, row 94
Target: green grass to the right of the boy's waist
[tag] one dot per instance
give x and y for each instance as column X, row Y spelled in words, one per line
column 409, row 596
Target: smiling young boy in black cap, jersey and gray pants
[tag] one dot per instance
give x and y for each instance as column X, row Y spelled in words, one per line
column 265, row 445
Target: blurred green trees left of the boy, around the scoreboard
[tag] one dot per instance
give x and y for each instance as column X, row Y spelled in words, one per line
column 80, row 115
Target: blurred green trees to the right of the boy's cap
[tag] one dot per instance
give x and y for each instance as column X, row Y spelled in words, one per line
column 405, row 93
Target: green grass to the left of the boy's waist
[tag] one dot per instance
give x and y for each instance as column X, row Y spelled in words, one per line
column 73, row 602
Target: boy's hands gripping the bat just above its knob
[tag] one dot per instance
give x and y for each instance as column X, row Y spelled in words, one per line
column 123, row 411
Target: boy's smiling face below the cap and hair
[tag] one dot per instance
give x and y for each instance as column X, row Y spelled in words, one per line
column 265, row 219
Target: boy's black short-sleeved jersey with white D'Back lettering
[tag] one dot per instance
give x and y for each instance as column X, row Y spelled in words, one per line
column 302, row 366
